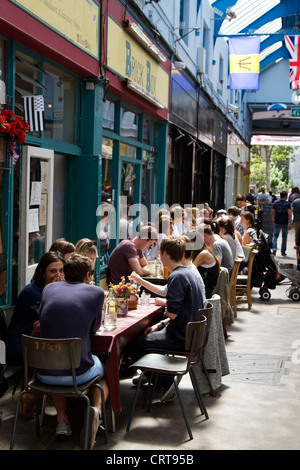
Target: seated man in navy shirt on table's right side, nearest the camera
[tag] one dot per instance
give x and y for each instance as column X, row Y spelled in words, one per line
column 183, row 298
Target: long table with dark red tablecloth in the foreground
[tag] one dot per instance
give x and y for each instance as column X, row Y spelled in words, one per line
column 113, row 343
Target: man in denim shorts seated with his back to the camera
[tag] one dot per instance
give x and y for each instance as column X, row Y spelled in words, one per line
column 69, row 309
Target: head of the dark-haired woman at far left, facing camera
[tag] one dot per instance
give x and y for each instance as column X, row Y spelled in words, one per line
column 49, row 269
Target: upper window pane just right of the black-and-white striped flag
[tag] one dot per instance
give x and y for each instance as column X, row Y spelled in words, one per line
column 60, row 105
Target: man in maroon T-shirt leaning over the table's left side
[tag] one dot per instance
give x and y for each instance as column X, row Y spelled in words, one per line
column 128, row 255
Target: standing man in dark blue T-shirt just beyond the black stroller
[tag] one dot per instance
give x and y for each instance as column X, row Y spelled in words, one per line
column 282, row 219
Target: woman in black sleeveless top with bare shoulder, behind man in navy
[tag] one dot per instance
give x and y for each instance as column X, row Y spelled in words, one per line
column 207, row 264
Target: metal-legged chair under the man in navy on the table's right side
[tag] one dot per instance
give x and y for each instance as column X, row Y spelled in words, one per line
column 173, row 364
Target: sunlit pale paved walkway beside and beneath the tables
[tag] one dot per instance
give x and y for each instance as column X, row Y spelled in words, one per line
column 257, row 406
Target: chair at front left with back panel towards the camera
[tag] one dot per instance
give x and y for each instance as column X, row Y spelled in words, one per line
column 55, row 354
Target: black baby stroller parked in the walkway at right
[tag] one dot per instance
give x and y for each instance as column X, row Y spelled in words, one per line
column 265, row 273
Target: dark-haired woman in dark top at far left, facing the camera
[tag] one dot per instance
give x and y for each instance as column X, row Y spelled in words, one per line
column 26, row 312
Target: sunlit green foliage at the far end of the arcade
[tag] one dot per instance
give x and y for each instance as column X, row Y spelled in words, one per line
column 279, row 167
